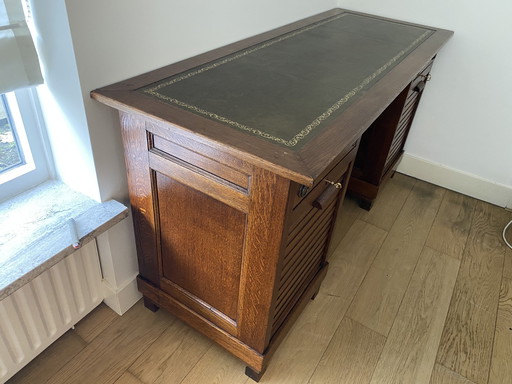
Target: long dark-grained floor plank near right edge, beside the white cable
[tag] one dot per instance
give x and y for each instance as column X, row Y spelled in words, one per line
column 466, row 344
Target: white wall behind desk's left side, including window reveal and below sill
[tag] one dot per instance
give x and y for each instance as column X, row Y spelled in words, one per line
column 89, row 44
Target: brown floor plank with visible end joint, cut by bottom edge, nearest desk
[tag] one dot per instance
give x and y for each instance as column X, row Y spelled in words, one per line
column 351, row 356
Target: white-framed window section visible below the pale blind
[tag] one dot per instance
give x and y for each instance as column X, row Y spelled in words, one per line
column 23, row 154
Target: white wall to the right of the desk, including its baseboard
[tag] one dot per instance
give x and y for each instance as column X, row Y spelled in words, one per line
column 462, row 133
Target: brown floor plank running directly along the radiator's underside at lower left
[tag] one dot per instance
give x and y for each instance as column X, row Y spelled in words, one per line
column 51, row 360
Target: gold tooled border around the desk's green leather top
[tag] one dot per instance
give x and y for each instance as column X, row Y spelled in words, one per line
column 310, row 127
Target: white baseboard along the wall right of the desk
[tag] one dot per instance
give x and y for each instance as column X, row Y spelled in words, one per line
column 456, row 180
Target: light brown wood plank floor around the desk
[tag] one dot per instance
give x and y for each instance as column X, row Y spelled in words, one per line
column 419, row 291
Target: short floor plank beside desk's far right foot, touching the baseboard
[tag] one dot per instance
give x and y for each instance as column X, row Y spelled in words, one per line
column 390, row 201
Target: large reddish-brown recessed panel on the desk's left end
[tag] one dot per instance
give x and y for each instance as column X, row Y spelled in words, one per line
column 201, row 246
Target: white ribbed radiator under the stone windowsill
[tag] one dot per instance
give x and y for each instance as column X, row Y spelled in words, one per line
column 41, row 311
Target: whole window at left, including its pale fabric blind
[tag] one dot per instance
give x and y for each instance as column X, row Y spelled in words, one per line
column 23, row 162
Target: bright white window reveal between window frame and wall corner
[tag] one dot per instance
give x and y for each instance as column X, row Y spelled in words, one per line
column 61, row 99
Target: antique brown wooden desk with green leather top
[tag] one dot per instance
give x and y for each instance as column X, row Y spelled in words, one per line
column 239, row 158
